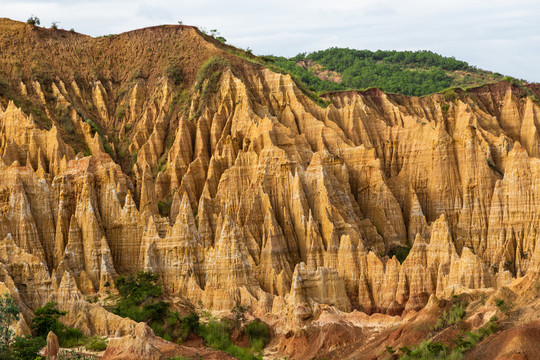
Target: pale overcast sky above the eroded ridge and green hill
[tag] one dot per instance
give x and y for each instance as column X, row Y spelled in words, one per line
column 496, row 35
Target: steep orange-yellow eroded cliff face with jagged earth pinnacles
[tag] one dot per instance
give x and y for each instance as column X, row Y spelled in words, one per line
column 235, row 187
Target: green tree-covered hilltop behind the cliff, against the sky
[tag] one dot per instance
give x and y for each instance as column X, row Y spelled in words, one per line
column 405, row 72
